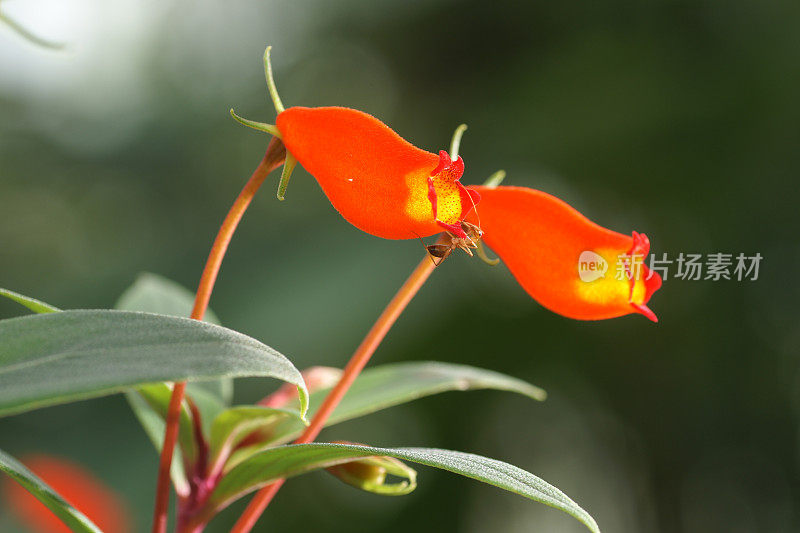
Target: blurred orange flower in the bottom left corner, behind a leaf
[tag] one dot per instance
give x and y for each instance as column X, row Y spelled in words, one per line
column 85, row 492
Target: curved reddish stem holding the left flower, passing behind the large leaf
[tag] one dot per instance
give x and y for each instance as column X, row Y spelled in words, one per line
column 273, row 158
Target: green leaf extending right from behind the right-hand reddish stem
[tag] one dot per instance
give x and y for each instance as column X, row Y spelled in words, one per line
column 389, row 385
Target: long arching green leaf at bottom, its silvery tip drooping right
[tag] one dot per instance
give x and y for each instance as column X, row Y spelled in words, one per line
column 292, row 460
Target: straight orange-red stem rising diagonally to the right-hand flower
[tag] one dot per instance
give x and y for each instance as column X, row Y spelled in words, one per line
column 351, row 371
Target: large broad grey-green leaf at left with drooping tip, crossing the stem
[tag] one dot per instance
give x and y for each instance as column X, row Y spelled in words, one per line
column 72, row 355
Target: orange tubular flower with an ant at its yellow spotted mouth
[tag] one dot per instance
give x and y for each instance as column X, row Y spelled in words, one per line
column 378, row 181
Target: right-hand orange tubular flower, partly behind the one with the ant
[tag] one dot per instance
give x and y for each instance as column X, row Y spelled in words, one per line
column 563, row 260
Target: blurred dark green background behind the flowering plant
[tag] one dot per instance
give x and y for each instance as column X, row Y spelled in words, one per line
column 677, row 118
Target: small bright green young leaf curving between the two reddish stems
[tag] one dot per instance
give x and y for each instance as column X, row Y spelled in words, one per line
column 236, row 423
